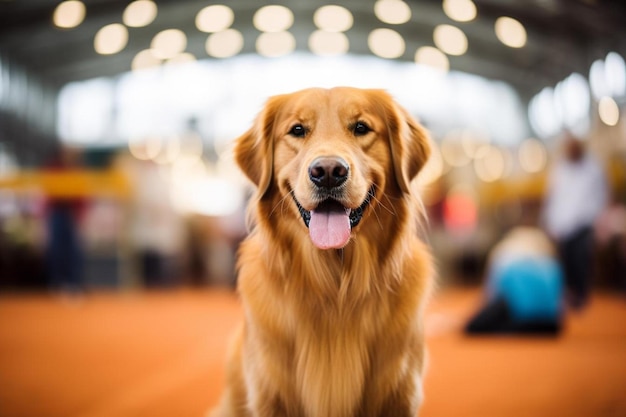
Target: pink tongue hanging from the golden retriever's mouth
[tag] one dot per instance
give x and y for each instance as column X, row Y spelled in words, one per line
column 329, row 227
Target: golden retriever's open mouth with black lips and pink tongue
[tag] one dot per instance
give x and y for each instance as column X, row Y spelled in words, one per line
column 330, row 223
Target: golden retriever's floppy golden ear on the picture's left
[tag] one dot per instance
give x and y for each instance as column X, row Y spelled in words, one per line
column 254, row 150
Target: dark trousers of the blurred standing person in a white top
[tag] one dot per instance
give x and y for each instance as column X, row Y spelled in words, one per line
column 576, row 254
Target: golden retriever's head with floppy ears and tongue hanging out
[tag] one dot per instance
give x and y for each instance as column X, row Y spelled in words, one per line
column 328, row 154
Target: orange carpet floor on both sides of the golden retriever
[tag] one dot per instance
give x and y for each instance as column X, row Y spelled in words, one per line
column 162, row 354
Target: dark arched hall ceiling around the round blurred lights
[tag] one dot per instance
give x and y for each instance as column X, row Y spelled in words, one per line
column 564, row 36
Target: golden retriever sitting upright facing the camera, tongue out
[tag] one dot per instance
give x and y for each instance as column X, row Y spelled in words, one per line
column 332, row 277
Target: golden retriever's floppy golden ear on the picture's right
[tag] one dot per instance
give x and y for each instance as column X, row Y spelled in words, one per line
column 410, row 146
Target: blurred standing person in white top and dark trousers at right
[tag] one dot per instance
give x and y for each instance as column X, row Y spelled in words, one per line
column 576, row 194
